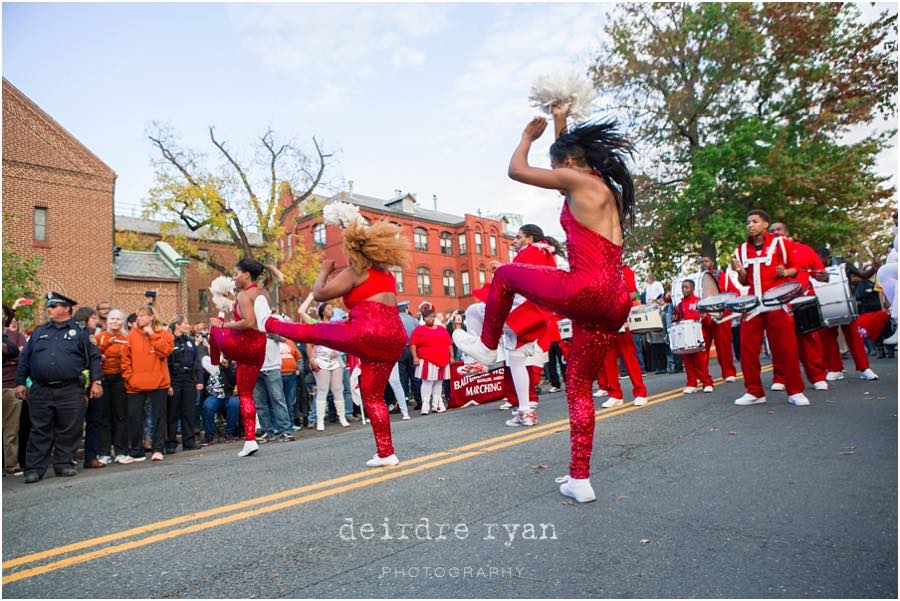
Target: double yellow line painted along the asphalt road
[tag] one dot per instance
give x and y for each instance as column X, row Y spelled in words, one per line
column 289, row 498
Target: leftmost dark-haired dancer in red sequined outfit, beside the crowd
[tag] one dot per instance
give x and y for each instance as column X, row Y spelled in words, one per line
column 240, row 341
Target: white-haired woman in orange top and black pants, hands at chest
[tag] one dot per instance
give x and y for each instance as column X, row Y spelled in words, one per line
column 112, row 342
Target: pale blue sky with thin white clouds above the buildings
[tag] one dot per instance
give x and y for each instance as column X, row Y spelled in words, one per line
column 427, row 98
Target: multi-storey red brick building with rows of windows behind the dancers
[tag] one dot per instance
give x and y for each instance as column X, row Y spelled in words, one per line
column 450, row 255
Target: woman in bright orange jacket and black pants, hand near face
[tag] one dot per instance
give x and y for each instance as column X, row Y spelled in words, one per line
column 145, row 370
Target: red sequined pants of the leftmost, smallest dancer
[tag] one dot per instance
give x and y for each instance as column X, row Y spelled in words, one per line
column 247, row 348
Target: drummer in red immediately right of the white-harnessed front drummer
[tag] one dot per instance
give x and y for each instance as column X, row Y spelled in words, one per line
column 805, row 263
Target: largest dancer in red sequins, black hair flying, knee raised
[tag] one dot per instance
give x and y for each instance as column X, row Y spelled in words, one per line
column 589, row 169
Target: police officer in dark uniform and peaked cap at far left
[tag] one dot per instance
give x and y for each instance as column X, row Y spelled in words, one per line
column 54, row 358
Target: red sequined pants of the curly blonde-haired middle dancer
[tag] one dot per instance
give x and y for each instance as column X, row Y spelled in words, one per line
column 375, row 334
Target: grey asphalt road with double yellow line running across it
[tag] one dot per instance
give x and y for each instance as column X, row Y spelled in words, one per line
column 696, row 498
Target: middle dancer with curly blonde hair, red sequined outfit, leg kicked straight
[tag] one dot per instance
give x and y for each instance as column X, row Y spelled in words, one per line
column 373, row 332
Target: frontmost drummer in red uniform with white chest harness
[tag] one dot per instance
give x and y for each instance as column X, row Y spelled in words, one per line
column 760, row 263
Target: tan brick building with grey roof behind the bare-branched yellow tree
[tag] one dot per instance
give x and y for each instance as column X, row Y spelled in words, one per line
column 198, row 276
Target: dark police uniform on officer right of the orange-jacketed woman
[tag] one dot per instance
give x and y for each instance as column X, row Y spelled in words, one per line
column 185, row 369
